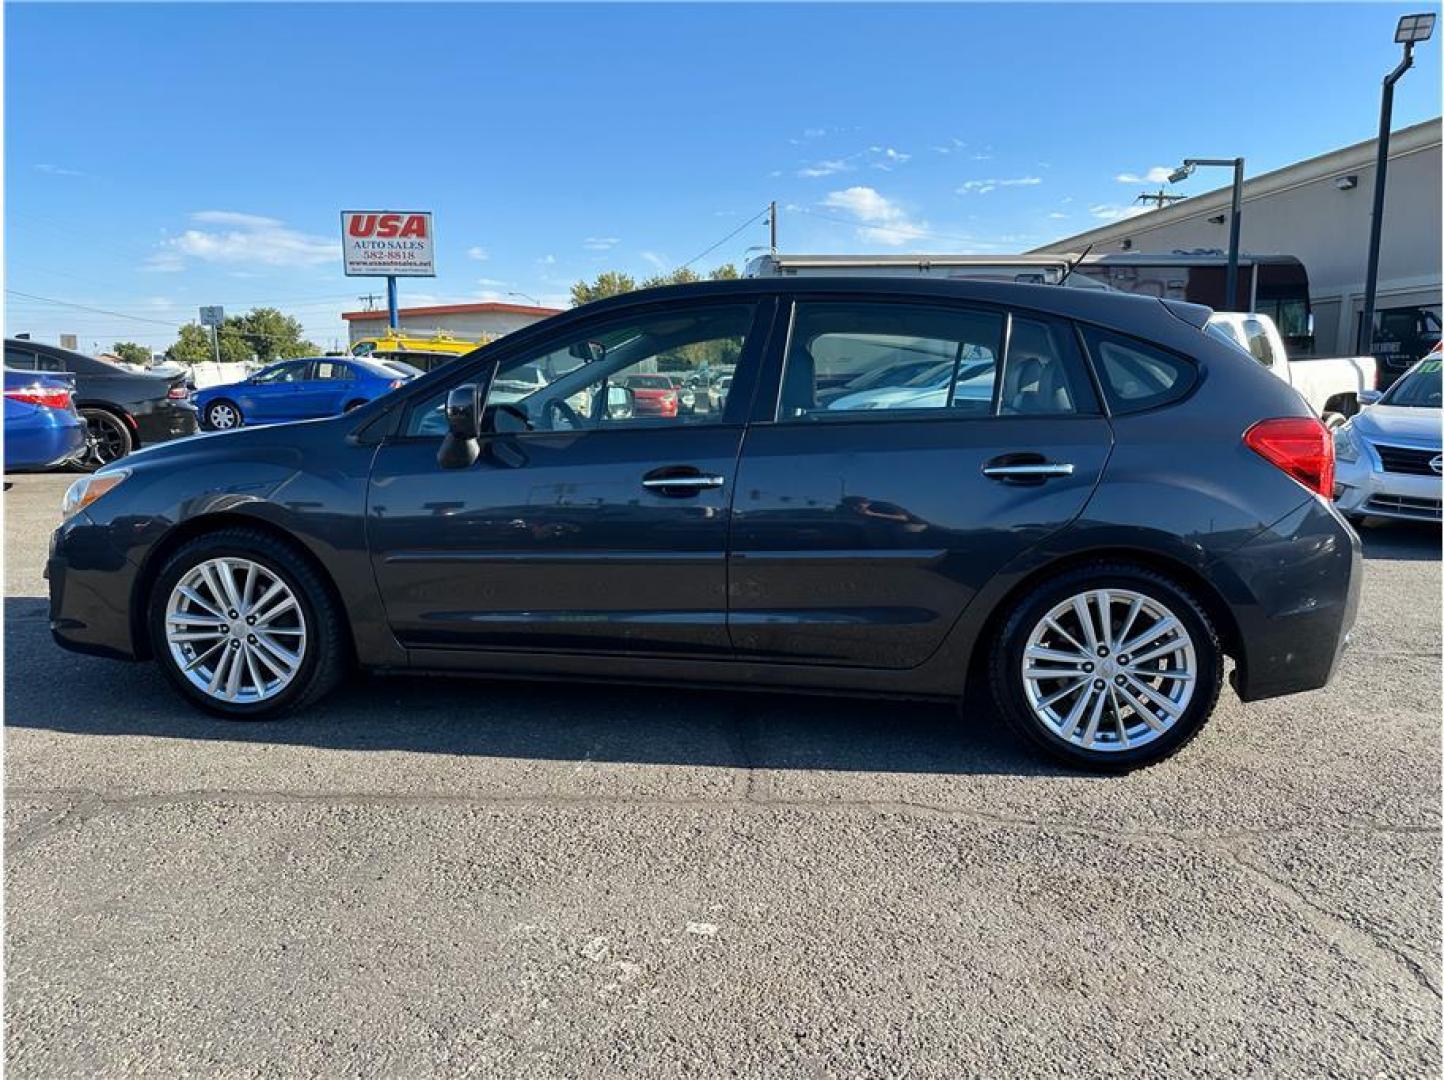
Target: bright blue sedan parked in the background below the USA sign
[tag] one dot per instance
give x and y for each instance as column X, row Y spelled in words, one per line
column 297, row 391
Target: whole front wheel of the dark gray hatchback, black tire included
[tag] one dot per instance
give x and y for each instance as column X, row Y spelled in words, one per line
column 245, row 627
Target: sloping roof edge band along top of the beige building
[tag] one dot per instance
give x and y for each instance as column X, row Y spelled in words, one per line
column 1336, row 162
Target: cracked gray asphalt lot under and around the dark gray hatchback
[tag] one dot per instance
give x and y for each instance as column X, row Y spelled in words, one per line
column 443, row 879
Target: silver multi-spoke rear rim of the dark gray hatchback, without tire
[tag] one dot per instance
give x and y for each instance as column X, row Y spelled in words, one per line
column 1110, row 671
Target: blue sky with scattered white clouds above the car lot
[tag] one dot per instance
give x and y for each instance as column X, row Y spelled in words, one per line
column 160, row 158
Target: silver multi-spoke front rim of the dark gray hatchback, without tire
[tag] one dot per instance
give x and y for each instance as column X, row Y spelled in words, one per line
column 236, row 630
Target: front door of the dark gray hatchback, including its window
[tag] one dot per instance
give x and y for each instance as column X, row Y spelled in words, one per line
column 588, row 526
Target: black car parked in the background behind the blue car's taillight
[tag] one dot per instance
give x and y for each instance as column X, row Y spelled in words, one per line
column 123, row 409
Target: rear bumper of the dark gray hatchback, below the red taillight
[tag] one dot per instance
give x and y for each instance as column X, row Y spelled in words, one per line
column 1296, row 594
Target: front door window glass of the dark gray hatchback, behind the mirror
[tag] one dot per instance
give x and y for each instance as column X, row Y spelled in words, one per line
column 649, row 372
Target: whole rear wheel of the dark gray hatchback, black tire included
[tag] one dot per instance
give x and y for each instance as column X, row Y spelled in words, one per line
column 1124, row 711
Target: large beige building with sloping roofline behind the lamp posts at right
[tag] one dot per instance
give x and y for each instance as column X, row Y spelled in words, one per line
column 1321, row 212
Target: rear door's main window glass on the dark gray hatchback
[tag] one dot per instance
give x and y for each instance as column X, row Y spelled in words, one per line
column 847, row 359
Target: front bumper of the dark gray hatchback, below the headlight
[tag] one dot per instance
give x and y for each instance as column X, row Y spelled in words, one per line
column 90, row 591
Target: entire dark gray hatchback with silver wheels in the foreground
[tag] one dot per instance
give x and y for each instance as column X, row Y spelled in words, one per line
column 1100, row 508
